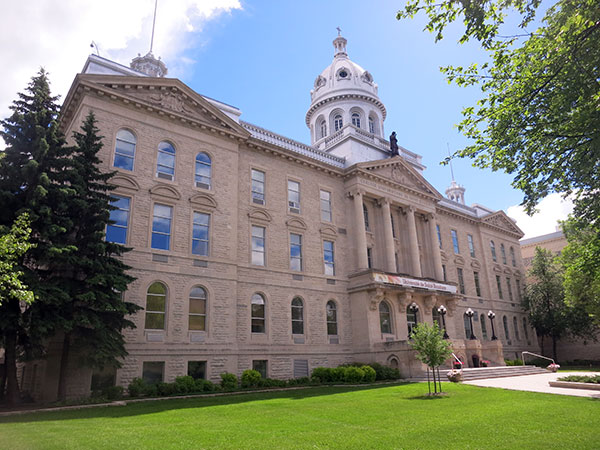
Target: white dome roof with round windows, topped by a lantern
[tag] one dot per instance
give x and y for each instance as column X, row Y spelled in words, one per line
column 343, row 79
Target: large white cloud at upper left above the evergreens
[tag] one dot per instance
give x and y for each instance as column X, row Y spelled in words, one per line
column 56, row 35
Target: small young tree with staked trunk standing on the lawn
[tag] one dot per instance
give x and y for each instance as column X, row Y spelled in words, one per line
column 431, row 347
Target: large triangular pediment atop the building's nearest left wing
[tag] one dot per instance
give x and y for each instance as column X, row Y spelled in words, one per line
column 167, row 96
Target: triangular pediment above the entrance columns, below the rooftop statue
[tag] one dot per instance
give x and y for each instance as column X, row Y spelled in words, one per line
column 399, row 172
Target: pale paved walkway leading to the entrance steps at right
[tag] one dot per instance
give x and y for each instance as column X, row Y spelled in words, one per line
column 537, row 383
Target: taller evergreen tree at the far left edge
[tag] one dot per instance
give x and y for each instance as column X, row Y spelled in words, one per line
column 30, row 172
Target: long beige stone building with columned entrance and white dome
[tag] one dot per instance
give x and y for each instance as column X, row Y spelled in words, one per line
column 252, row 250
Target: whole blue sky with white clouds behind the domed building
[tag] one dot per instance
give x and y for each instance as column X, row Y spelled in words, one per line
column 263, row 56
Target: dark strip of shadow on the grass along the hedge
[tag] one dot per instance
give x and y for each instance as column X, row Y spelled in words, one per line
column 166, row 404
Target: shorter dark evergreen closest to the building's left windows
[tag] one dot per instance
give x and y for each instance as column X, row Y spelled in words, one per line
column 95, row 314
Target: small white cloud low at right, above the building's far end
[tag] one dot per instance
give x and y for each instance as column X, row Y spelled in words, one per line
column 550, row 210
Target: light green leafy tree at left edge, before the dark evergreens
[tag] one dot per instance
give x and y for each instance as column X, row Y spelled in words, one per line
column 14, row 243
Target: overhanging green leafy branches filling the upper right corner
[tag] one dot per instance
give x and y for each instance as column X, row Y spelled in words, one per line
column 538, row 118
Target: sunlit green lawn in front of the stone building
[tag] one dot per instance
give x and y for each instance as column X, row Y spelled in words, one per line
column 372, row 417
